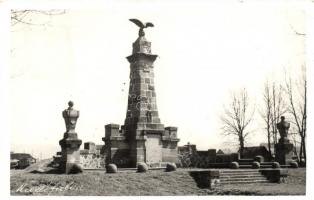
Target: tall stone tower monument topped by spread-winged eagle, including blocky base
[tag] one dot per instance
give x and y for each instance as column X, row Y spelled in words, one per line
column 142, row 138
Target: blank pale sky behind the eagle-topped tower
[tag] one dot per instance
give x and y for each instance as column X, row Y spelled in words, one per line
column 206, row 51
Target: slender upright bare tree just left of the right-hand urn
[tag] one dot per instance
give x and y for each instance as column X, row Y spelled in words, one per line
column 275, row 107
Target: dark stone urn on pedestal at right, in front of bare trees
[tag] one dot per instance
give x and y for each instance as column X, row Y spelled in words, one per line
column 284, row 149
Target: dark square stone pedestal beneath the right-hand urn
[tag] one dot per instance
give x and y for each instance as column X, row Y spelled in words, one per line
column 284, row 152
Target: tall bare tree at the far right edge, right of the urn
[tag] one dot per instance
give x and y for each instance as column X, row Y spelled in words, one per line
column 297, row 92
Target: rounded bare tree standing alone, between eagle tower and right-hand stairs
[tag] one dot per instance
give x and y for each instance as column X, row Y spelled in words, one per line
column 237, row 117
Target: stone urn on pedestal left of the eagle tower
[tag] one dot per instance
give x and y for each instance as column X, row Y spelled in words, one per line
column 70, row 144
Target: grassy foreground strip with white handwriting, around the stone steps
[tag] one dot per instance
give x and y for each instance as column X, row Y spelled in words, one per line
column 157, row 183
